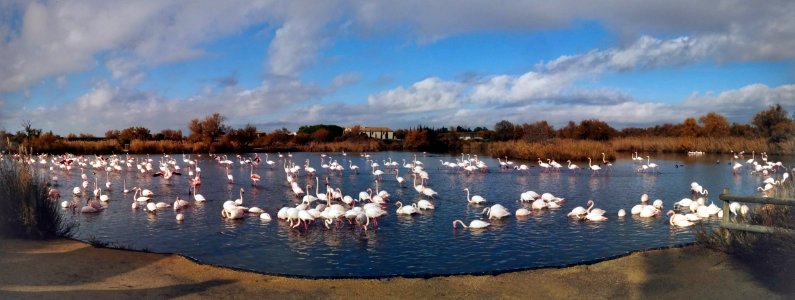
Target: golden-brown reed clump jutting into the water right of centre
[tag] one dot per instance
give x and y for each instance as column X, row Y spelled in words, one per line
column 558, row 149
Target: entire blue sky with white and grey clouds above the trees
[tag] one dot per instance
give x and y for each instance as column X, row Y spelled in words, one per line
column 94, row 65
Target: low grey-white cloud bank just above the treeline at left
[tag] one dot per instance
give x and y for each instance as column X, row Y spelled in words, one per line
column 116, row 107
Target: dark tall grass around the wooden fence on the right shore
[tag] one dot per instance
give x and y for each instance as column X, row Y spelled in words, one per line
column 769, row 257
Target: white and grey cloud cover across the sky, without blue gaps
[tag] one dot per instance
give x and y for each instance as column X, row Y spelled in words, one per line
column 45, row 39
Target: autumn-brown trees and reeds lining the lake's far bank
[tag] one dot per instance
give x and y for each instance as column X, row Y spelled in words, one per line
column 770, row 131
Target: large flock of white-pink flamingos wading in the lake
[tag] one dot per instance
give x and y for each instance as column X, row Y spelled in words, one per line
column 335, row 208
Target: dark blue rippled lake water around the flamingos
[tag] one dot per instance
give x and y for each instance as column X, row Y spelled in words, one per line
column 419, row 245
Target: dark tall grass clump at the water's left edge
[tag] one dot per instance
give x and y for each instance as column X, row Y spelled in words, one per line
column 25, row 209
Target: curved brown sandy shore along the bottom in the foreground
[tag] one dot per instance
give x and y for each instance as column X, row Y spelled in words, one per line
column 69, row 269
